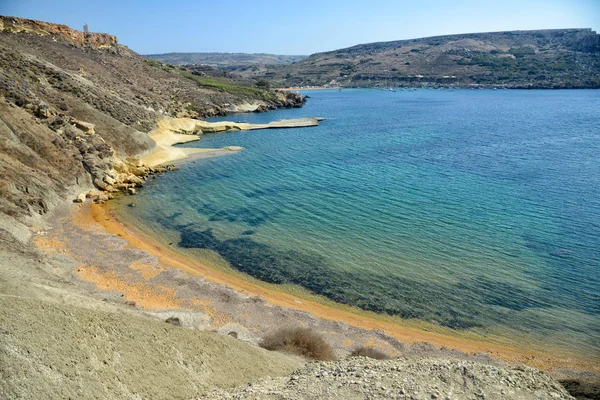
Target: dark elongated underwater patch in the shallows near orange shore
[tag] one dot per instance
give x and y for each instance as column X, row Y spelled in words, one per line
column 390, row 294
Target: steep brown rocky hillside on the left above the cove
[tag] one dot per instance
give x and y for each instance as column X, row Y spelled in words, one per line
column 58, row 85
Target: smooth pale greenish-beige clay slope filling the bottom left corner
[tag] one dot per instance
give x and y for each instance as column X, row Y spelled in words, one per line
column 50, row 350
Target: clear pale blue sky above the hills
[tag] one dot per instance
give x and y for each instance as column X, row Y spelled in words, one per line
column 298, row 27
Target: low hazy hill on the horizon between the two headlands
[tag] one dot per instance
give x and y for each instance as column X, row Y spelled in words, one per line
column 224, row 60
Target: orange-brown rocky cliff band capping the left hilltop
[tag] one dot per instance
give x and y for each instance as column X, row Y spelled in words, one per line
column 78, row 38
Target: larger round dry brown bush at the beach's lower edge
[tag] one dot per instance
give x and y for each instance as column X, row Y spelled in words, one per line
column 300, row 341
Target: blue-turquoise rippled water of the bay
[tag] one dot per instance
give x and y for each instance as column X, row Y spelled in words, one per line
column 474, row 209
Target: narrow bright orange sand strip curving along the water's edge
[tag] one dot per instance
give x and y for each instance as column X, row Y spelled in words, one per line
column 103, row 217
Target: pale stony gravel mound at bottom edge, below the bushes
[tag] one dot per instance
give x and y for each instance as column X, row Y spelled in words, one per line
column 404, row 378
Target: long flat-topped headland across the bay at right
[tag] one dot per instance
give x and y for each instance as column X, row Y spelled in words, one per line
column 558, row 58
